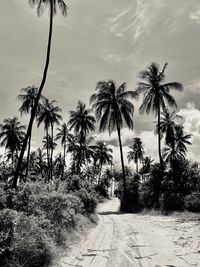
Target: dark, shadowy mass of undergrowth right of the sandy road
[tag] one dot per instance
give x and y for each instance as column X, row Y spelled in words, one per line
column 172, row 188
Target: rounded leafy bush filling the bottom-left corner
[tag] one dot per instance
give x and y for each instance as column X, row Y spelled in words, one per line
column 23, row 241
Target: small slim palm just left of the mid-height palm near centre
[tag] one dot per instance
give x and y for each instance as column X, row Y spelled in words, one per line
column 65, row 136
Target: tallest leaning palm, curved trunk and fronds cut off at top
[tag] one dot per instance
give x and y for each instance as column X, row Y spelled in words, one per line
column 41, row 4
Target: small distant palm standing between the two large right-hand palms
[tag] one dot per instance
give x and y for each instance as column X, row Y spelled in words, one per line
column 137, row 152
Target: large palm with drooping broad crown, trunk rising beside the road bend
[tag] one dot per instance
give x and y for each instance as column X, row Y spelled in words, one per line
column 114, row 111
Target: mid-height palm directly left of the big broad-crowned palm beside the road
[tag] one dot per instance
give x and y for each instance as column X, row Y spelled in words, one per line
column 82, row 122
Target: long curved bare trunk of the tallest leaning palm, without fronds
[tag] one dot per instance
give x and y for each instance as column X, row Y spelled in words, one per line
column 33, row 112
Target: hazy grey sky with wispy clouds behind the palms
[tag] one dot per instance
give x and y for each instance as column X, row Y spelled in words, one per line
column 107, row 39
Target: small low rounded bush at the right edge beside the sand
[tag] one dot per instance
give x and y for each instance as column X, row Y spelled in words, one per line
column 192, row 202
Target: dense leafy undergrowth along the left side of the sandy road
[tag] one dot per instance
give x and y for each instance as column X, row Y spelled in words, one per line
column 37, row 219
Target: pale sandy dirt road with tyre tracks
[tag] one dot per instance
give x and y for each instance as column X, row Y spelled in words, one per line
column 138, row 240
